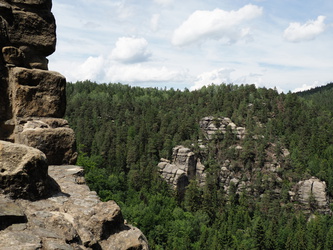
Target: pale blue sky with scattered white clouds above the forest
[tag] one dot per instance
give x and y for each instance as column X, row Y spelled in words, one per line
column 282, row 44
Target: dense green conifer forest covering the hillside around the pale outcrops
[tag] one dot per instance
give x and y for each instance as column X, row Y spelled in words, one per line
column 123, row 131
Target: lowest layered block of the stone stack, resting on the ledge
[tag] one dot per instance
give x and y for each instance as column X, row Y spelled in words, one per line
column 50, row 135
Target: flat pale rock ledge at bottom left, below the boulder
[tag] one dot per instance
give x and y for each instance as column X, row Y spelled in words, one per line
column 72, row 219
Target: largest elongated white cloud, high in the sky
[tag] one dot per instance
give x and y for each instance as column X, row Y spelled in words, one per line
column 216, row 24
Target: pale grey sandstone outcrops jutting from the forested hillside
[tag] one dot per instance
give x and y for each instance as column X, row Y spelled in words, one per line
column 256, row 179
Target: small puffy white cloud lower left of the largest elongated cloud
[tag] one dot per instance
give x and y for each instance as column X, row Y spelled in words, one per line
column 131, row 50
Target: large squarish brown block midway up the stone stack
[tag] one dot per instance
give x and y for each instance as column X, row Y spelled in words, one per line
column 37, row 93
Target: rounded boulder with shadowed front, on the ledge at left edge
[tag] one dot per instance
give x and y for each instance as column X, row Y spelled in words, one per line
column 23, row 172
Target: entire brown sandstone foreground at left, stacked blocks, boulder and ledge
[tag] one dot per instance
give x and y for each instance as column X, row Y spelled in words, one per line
column 42, row 206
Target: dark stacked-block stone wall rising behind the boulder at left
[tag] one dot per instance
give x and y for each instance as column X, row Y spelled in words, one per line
column 28, row 91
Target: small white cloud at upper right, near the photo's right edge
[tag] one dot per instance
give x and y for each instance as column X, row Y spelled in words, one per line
column 297, row 32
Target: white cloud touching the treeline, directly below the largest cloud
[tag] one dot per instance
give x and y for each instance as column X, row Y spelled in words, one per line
column 217, row 76
